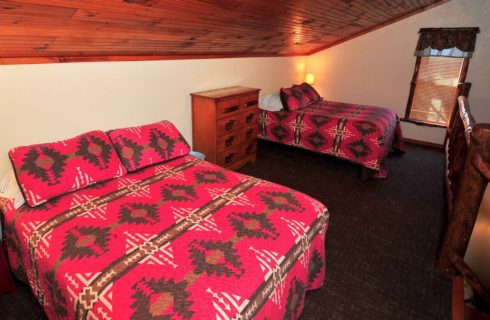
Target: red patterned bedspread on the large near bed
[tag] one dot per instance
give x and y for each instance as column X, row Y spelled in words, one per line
column 184, row 239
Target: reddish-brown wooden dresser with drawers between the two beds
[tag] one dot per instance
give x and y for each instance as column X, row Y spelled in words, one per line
column 224, row 125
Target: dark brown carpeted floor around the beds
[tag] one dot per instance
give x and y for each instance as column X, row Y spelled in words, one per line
column 381, row 243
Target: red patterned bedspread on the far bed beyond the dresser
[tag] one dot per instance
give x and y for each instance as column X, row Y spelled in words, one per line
column 359, row 133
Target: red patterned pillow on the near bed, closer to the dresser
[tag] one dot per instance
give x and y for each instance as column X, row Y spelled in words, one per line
column 142, row 146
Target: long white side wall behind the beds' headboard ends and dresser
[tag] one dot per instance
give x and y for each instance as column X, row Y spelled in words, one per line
column 48, row 102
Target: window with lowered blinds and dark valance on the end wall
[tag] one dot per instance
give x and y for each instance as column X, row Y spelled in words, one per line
column 440, row 70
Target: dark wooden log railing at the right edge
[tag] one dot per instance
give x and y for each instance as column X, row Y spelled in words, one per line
column 467, row 176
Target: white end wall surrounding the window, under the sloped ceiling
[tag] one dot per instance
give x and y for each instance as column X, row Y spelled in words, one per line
column 377, row 68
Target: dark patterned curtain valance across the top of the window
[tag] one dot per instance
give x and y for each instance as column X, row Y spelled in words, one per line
column 448, row 42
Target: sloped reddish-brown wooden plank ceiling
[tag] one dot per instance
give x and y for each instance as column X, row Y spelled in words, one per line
column 84, row 30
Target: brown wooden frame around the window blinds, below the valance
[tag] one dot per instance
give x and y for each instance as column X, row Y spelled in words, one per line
column 461, row 89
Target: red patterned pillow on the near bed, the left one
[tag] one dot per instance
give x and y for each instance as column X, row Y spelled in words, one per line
column 48, row 170
